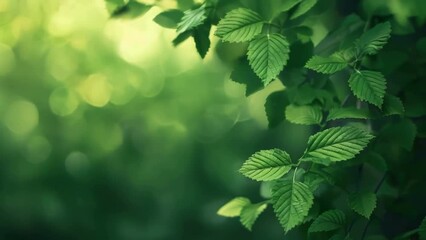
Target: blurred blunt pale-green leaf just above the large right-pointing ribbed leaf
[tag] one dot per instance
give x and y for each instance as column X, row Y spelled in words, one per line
column 306, row 115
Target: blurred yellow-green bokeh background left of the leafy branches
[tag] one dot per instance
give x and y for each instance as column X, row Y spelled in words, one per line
column 108, row 132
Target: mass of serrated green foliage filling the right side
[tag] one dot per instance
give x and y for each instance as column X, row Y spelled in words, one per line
column 359, row 101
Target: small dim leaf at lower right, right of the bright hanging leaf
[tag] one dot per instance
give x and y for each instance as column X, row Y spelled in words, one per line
column 363, row 203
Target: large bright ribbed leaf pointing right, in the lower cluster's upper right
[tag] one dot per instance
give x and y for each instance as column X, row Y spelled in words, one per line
column 338, row 143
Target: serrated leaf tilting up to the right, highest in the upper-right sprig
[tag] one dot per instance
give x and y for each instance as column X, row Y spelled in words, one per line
column 374, row 39
